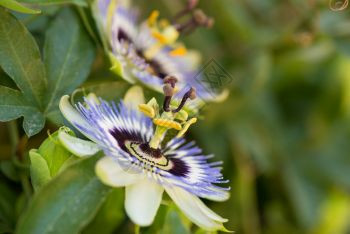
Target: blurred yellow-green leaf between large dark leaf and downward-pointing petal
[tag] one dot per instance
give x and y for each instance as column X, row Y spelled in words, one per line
column 108, row 219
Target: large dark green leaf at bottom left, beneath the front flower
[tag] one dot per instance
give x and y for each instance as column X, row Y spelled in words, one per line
column 67, row 203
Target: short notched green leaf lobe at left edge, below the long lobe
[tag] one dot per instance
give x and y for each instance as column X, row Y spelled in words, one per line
column 14, row 105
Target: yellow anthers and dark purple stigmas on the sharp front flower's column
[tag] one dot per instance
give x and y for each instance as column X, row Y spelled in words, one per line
column 172, row 117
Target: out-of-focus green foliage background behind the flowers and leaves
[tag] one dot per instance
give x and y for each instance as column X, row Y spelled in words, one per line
column 283, row 133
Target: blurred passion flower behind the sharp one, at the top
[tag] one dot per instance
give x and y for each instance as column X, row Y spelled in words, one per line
column 149, row 51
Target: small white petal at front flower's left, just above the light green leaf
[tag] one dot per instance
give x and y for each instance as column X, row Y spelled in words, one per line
column 77, row 146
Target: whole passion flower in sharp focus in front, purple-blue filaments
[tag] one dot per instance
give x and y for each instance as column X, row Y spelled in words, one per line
column 137, row 160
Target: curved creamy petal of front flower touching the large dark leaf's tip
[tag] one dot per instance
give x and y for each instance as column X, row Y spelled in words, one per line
column 112, row 174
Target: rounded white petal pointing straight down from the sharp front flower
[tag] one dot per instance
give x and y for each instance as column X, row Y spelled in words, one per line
column 142, row 201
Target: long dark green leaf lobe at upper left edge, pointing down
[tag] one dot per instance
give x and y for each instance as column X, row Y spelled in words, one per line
column 20, row 58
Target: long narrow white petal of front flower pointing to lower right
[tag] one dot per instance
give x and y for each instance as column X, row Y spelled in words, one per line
column 195, row 209
